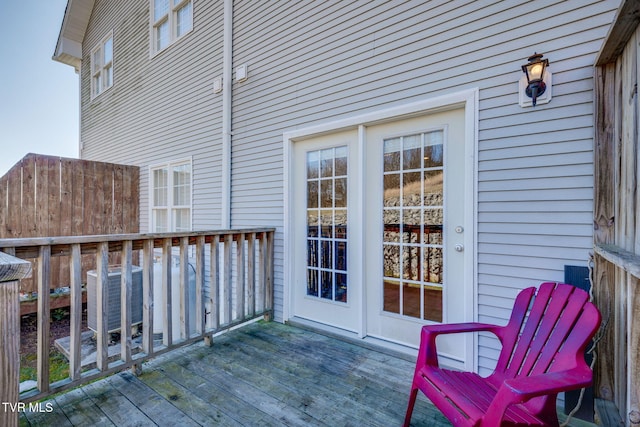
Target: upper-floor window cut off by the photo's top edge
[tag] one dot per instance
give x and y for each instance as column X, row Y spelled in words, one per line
column 170, row 20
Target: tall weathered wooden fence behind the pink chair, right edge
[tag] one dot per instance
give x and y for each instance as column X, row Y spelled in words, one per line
column 617, row 215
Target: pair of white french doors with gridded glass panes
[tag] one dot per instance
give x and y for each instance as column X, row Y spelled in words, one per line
column 381, row 229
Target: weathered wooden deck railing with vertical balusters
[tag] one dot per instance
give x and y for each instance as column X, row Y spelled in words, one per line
column 233, row 284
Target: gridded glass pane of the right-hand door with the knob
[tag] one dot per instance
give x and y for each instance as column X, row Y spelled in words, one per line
column 412, row 225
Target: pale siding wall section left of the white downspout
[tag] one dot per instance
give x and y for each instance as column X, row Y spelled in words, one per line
column 152, row 117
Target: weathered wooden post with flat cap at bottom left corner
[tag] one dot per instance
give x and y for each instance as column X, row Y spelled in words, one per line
column 11, row 270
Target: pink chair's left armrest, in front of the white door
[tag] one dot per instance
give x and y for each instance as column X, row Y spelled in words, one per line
column 428, row 354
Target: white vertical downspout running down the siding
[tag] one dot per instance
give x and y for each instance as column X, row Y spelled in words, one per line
column 227, row 55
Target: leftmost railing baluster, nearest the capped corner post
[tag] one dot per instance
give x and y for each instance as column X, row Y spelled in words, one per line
column 44, row 278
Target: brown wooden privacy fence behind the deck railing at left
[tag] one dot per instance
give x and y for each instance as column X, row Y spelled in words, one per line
column 53, row 196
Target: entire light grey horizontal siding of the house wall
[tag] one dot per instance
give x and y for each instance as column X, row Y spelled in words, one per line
column 317, row 62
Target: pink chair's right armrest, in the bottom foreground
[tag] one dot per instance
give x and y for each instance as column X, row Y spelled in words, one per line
column 520, row 390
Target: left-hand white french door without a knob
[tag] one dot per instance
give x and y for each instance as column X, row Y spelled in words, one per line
column 327, row 289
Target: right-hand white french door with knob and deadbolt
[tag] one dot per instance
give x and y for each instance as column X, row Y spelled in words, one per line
column 415, row 227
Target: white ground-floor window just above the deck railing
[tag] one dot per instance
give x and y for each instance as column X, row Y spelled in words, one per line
column 171, row 197
